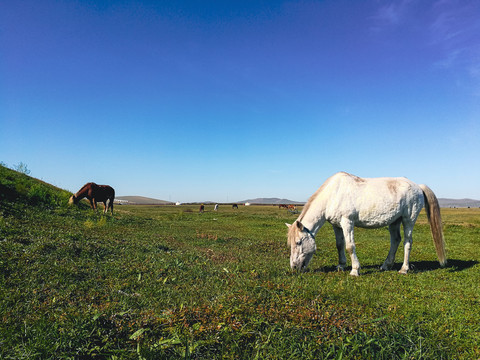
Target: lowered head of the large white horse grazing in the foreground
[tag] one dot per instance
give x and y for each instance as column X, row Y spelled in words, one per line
column 302, row 244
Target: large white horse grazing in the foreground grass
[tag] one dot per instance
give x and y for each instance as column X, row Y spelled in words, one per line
column 346, row 201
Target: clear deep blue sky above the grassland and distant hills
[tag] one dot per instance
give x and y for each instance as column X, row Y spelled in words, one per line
column 230, row 100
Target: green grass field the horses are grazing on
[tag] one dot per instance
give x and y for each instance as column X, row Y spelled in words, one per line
column 167, row 282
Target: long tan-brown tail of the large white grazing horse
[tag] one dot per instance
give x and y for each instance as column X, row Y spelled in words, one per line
column 432, row 208
